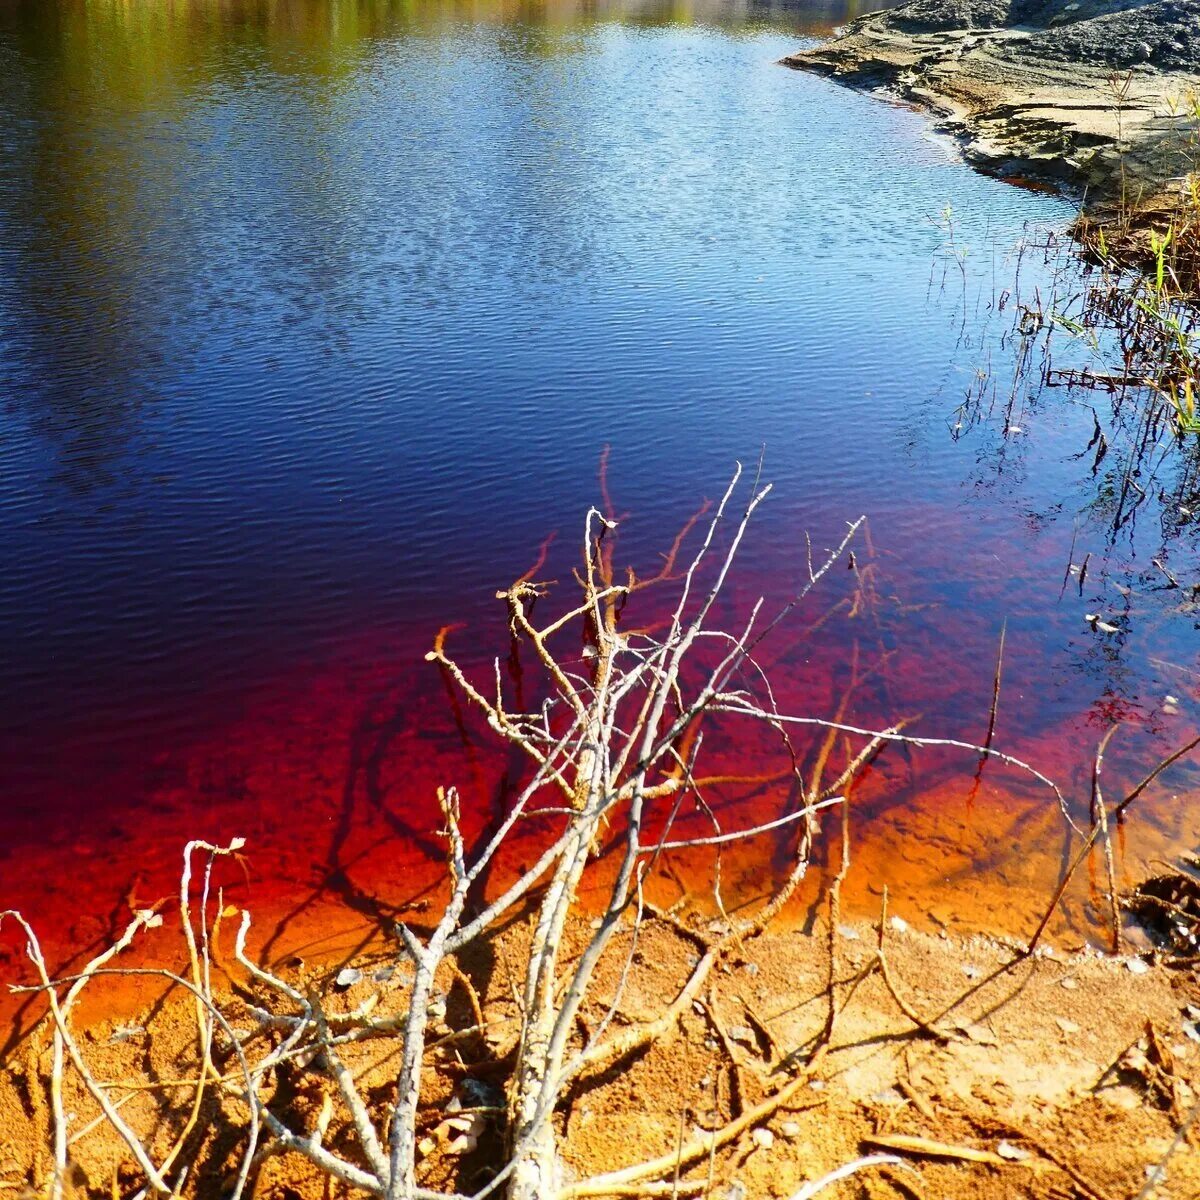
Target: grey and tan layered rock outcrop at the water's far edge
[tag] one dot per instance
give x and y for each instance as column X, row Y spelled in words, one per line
column 1097, row 95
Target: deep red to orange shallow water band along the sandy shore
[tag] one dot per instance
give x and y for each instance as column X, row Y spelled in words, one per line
column 329, row 771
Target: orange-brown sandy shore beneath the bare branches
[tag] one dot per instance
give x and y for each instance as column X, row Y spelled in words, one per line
column 1065, row 1075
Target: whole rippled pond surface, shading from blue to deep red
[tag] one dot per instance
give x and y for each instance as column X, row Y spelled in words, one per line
column 316, row 320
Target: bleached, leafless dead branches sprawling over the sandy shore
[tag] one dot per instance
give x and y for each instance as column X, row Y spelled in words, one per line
column 613, row 752
